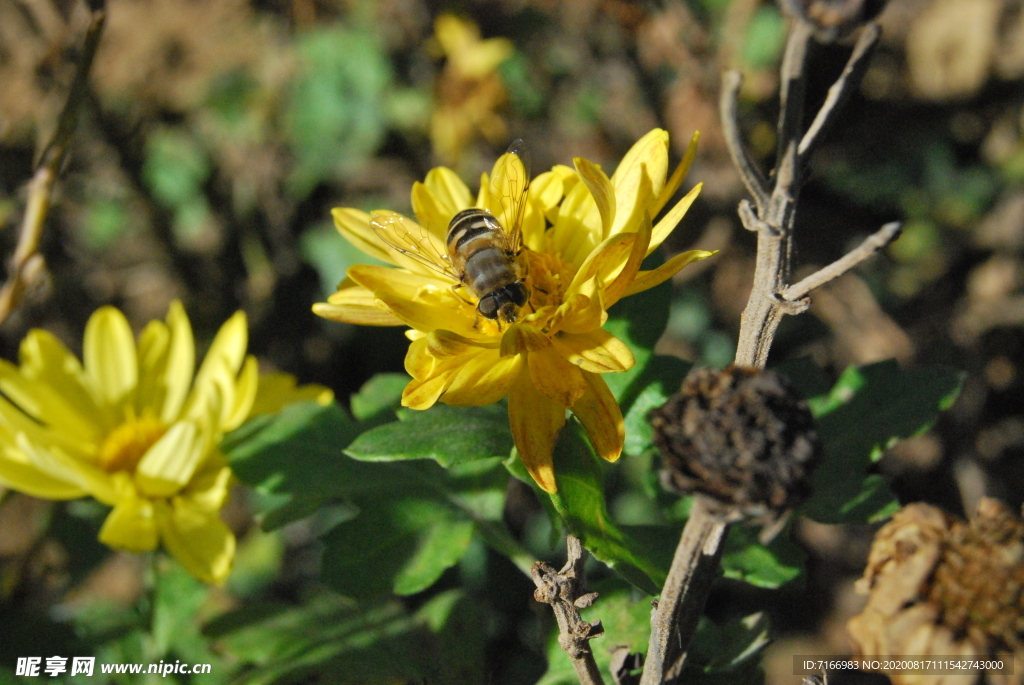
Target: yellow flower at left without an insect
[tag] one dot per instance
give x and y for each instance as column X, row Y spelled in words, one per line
column 131, row 429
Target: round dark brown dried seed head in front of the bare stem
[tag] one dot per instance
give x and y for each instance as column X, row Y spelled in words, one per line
column 741, row 437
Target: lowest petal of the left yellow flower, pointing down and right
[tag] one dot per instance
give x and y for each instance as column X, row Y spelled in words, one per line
column 198, row 539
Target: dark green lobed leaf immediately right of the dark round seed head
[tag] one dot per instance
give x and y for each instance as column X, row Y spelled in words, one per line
column 869, row 410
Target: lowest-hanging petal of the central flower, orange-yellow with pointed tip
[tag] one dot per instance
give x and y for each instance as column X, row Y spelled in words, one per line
column 535, row 421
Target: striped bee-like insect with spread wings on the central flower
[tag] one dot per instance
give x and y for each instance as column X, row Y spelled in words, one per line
column 481, row 251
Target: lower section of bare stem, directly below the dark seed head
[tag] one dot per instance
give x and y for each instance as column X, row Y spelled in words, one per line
column 675, row 621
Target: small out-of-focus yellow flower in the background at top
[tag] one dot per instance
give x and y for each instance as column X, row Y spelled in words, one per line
column 470, row 91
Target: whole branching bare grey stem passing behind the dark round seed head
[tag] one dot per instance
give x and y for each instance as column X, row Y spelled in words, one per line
column 772, row 217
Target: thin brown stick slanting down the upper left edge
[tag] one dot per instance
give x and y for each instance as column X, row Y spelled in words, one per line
column 27, row 264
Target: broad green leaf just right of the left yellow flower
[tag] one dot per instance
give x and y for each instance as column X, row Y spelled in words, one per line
column 294, row 459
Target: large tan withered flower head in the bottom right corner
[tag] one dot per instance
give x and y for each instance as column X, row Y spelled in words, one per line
column 944, row 588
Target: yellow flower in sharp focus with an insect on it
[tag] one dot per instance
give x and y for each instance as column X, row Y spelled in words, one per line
column 552, row 359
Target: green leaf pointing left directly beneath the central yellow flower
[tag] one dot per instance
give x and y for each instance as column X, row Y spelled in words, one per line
column 450, row 436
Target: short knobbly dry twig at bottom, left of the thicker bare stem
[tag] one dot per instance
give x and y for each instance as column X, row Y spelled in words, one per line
column 567, row 592
